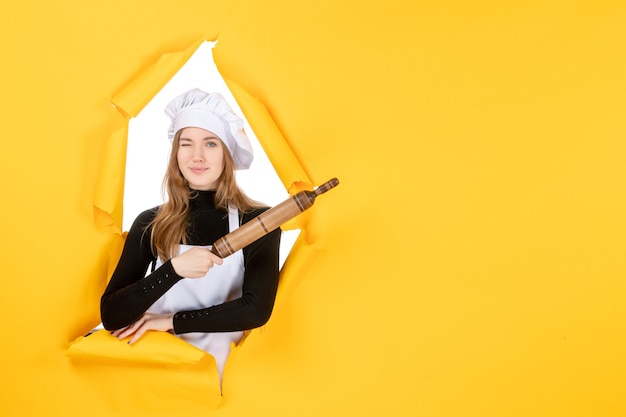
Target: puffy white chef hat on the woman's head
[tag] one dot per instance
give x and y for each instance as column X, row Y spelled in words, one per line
column 211, row 112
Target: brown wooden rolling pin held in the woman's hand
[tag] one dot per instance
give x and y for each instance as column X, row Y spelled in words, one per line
column 269, row 220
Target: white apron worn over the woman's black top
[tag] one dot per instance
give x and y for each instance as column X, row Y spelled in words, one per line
column 222, row 283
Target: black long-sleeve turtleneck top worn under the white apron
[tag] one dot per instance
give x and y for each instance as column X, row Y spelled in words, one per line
column 128, row 294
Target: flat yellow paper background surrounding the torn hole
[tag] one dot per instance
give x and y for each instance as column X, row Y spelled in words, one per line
column 469, row 264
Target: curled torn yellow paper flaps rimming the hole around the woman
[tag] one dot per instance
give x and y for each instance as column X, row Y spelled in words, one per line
column 165, row 348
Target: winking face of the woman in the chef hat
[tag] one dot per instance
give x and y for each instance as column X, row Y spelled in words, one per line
column 200, row 158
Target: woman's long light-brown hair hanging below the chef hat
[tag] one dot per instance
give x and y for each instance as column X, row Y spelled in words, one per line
column 169, row 227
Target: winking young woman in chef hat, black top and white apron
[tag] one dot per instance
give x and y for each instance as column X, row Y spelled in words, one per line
column 201, row 298
